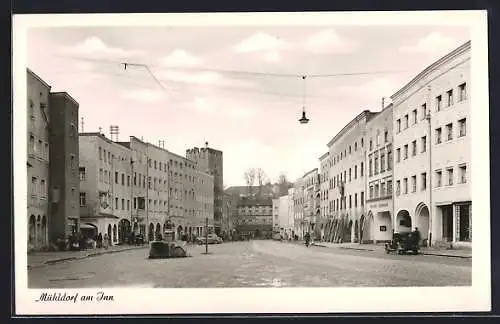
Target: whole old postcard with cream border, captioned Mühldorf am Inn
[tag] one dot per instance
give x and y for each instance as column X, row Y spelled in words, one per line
column 251, row 163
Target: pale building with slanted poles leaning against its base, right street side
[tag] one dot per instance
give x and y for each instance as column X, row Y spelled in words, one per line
column 347, row 185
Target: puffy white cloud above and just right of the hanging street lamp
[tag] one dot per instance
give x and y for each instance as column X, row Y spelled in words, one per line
column 328, row 41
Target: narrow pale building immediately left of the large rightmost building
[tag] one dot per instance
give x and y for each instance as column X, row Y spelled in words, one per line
column 377, row 225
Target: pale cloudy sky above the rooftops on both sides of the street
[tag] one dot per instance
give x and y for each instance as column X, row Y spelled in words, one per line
column 204, row 96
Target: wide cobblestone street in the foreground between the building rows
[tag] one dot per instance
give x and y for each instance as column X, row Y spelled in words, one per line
column 255, row 264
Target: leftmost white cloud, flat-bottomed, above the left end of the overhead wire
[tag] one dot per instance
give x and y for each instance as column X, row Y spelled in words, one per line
column 94, row 46
